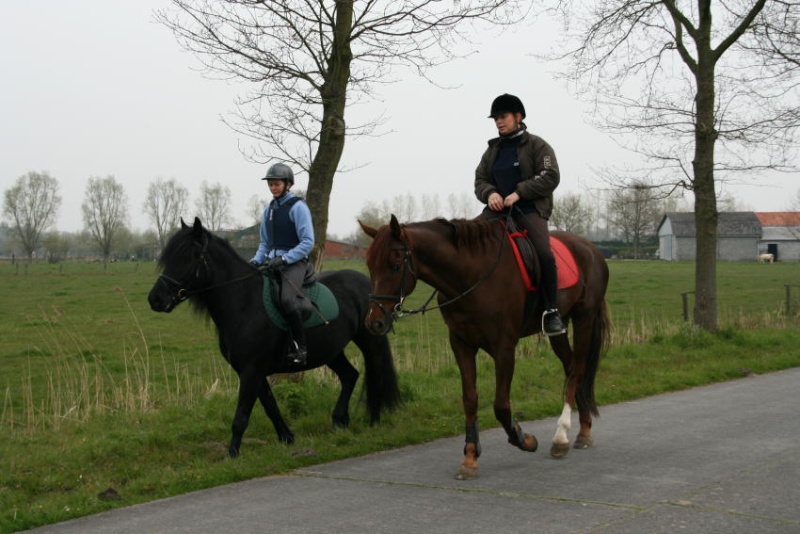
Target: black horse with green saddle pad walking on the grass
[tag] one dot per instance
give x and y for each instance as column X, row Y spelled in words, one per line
column 203, row 268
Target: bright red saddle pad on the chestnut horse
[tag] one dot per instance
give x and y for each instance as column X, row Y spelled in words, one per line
column 528, row 263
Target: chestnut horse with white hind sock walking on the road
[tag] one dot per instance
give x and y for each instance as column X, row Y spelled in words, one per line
column 483, row 301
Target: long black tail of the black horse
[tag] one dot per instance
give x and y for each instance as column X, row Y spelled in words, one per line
column 382, row 389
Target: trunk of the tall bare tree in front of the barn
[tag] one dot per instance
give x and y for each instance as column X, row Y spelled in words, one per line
column 705, row 209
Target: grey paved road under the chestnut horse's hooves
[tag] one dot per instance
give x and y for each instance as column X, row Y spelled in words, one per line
column 722, row 458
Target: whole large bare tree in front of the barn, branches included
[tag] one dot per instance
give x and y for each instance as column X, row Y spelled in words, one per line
column 707, row 88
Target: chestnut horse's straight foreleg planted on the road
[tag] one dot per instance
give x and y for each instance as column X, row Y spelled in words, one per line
column 465, row 358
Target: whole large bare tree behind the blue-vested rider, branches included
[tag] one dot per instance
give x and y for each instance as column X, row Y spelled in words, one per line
column 309, row 60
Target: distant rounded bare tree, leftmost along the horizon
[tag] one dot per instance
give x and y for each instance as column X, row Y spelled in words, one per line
column 32, row 204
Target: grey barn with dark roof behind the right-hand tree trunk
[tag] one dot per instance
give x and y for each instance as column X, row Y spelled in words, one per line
column 738, row 236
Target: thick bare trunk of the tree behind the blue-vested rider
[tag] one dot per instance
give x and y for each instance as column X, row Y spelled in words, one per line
column 332, row 135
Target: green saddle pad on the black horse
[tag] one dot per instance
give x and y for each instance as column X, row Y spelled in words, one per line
column 318, row 307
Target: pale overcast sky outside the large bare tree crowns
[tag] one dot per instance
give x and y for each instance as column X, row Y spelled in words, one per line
column 92, row 88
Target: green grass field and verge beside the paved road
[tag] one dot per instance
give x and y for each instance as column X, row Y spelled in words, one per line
column 106, row 404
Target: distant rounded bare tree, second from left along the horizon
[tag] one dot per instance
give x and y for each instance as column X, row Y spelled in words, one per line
column 105, row 211
